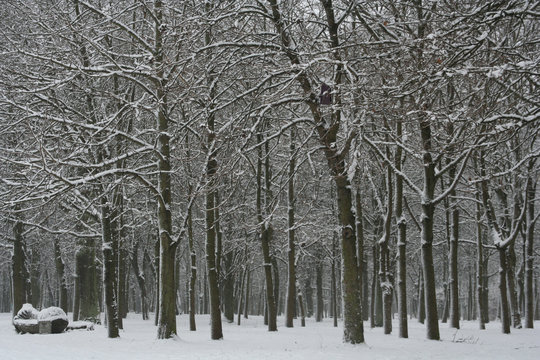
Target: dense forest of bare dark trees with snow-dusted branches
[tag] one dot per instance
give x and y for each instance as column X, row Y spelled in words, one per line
column 361, row 160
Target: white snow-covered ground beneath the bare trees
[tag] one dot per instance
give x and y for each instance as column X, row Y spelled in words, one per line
column 252, row 341
